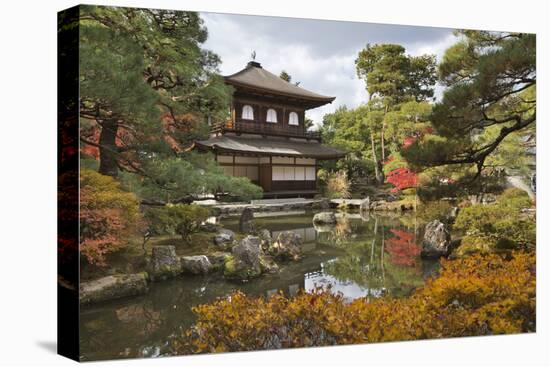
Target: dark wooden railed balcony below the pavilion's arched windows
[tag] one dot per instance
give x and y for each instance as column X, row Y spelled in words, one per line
column 264, row 128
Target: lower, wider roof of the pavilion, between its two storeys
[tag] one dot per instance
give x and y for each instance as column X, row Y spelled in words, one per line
column 271, row 146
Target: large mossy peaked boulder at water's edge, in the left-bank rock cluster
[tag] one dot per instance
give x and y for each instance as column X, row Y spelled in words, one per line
column 245, row 260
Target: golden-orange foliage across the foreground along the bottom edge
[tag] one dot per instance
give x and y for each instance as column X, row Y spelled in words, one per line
column 479, row 295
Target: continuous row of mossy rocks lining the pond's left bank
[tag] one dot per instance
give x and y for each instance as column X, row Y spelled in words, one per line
column 241, row 260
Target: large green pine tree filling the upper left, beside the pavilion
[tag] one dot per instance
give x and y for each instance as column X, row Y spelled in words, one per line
column 139, row 64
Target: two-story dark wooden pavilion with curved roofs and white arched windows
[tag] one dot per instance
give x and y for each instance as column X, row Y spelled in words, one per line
column 266, row 139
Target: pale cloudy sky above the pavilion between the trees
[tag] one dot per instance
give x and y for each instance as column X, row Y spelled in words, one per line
column 318, row 53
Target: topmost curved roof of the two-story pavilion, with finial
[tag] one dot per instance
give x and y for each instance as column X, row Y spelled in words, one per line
column 256, row 77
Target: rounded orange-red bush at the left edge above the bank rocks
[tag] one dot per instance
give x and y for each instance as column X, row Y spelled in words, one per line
column 107, row 214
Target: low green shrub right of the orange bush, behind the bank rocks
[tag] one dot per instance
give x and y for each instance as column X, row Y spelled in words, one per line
column 176, row 219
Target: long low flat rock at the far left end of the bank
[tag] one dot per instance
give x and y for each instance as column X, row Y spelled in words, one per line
column 113, row 287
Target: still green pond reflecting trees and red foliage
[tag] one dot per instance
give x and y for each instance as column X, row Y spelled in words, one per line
column 362, row 256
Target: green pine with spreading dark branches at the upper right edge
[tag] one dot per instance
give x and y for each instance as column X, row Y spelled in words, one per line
column 491, row 80
